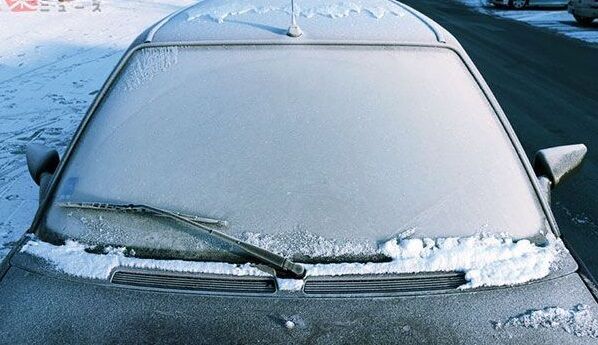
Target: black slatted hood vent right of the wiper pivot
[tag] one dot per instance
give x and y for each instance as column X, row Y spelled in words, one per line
column 401, row 283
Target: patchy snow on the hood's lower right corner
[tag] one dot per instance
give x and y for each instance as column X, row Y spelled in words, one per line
column 578, row 320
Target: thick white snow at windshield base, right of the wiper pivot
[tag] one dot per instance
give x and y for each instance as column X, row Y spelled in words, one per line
column 486, row 260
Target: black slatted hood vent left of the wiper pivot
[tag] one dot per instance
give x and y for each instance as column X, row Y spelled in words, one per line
column 192, row 282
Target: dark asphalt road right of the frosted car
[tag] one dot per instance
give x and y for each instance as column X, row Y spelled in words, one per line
column 548, row 86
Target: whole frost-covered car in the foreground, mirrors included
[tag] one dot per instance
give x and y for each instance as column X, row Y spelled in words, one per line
column 334, row 173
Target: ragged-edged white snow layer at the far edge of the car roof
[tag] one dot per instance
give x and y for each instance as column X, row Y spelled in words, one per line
column 219, row 11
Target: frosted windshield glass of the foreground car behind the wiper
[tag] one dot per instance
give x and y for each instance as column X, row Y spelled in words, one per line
column 302, row 149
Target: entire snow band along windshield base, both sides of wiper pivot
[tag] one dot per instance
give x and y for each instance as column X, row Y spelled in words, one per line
column 487, row 260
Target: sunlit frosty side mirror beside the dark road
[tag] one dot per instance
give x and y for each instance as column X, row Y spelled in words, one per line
column 556, row 162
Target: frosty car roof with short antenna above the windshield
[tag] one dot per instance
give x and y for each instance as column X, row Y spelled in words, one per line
column 321, row 21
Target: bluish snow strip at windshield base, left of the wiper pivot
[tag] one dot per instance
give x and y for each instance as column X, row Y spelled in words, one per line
column 73, row 259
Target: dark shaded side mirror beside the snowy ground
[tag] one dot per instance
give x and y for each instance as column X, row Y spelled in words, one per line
column 42, row 163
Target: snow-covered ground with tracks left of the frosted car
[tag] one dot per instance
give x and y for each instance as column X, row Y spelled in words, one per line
column 51, row 65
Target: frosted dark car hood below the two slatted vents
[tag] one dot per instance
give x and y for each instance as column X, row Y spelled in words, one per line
column 46, row 308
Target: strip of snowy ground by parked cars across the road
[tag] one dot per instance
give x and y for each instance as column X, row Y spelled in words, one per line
column 558, row 20
